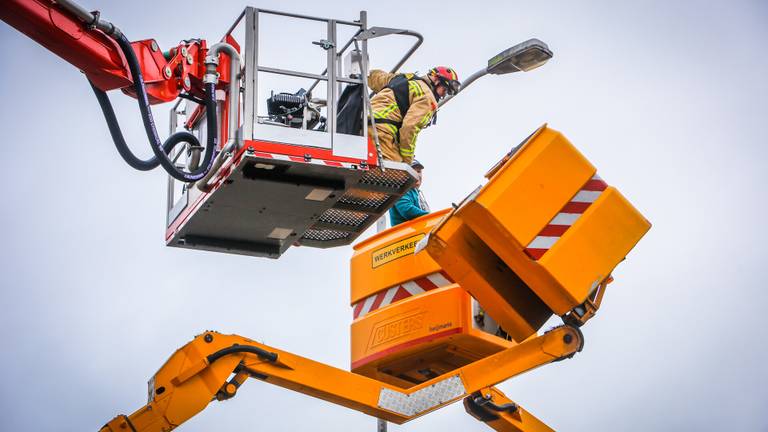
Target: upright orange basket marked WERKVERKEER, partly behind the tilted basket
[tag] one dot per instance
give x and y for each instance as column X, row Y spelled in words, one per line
column 411, row 321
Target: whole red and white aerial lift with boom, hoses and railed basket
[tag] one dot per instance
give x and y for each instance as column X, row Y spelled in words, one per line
column 300, row 187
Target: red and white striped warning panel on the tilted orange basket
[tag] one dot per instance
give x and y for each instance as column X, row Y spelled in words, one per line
column 566, row 217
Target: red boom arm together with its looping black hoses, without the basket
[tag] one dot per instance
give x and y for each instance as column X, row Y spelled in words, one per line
column 98, row 48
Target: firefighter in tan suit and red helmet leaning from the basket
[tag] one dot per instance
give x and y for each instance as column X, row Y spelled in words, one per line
column 405, row 104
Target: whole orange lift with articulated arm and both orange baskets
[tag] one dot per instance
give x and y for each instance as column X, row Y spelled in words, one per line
column 419, row 339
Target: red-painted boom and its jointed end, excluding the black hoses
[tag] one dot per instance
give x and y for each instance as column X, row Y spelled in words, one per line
column 92, row 48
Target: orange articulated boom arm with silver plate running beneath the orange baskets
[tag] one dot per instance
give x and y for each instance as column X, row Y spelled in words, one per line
column 194, row 376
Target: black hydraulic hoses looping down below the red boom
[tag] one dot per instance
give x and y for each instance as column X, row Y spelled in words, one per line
column 160, row 149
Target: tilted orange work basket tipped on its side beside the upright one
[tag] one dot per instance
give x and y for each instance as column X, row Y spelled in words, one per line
column 548, row 217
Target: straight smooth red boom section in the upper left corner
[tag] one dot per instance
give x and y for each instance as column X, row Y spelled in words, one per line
column 91, row 51
